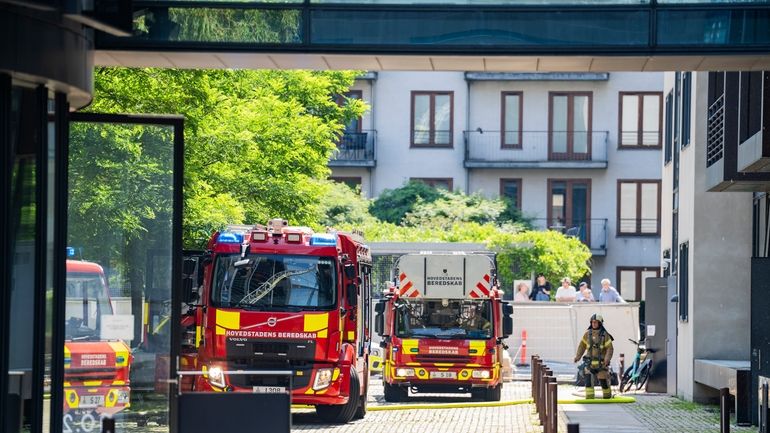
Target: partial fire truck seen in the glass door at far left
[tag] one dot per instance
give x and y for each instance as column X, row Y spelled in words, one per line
column 96, row 368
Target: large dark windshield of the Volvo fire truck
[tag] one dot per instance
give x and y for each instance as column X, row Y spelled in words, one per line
column 274, row 282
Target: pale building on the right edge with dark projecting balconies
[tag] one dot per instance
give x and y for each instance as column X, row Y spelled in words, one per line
column 715, row 229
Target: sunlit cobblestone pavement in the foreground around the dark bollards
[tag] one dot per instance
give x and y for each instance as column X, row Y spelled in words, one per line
column 655, row 413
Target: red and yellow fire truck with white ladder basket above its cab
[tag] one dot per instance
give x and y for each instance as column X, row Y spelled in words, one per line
column 443, row 325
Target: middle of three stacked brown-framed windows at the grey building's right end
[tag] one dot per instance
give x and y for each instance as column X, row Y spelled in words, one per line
column 638, row 207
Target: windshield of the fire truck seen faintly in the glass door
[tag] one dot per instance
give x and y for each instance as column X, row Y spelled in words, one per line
column 87, row 301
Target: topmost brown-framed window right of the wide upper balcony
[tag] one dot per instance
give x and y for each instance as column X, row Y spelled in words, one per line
column 640, row 117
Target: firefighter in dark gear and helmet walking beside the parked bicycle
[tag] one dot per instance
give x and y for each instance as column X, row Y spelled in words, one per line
column 597, row 345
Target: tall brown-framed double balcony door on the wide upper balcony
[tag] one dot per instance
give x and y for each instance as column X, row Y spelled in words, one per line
column 569, row 125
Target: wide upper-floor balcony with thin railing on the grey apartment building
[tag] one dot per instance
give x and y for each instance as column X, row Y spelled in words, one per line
column 536, row 149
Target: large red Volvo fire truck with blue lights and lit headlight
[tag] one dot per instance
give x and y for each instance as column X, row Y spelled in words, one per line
column 278, row 297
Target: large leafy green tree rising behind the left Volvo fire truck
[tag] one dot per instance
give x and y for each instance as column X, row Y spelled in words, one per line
column 256, row 142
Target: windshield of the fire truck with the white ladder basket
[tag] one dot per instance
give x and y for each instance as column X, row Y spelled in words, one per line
column 461, row 319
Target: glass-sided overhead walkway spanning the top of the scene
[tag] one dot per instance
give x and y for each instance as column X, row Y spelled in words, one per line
column 470, row 35
